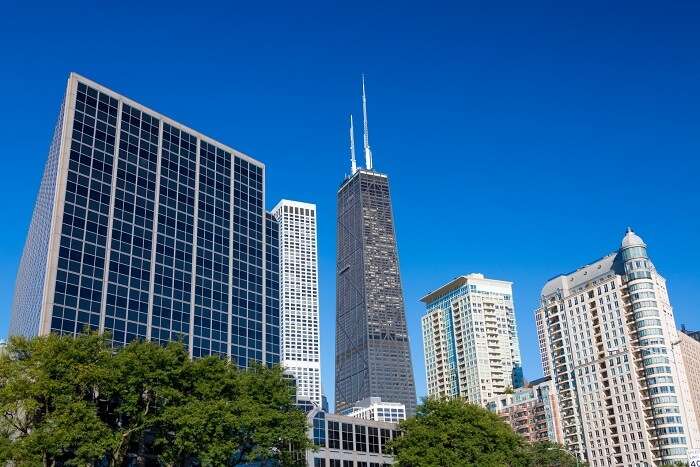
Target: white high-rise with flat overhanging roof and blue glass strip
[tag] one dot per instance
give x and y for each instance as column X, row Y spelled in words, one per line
column 470, row 339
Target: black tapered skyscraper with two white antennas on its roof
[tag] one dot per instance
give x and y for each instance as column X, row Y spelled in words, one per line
column 373, row 356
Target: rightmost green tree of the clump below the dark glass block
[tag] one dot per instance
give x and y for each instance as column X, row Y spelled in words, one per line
column 230, row 416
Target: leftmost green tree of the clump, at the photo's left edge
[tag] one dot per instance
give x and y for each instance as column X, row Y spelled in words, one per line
column 48, row 390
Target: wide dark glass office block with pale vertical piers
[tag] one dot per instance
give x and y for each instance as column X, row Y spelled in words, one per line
column 149, row 230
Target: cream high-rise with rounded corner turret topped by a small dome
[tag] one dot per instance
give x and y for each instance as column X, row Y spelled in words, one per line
column 614, row 356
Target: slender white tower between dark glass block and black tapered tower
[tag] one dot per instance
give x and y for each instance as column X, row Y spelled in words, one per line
column 300, row 347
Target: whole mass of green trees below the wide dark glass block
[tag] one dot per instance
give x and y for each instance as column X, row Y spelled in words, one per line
column 77, row 401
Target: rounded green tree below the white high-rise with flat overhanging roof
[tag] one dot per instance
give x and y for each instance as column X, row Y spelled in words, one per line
column 456, row 433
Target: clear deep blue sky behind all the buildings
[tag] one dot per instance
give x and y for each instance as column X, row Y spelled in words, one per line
column 520, row 139
